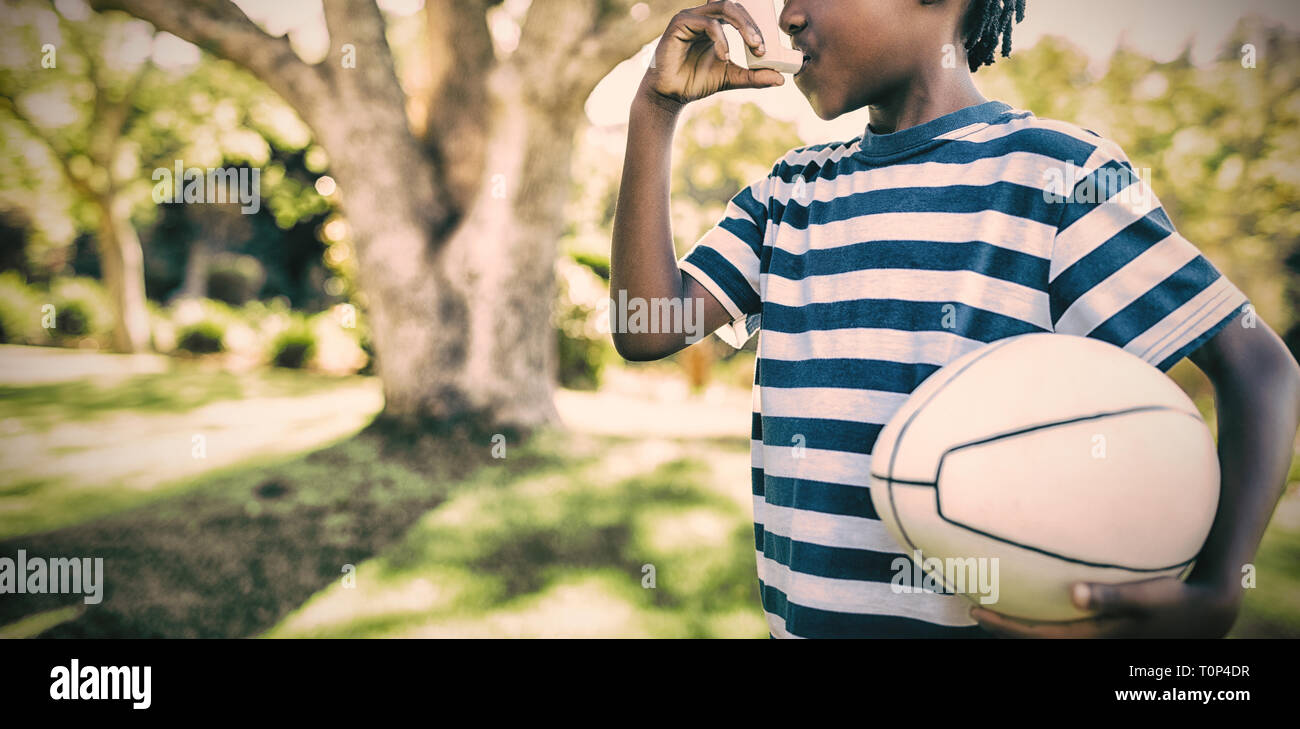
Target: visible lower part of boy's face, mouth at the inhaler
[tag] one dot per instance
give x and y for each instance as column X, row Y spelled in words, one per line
column 863, row 53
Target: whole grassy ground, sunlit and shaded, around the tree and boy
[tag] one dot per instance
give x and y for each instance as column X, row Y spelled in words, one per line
column 302, row 522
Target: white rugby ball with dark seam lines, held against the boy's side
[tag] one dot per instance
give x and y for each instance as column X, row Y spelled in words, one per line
column 1063, row 458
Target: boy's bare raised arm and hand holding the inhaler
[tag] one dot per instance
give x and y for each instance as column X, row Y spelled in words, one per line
column 691, row 63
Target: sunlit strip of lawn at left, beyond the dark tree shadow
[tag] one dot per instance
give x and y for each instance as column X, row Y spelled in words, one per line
column 81, row 449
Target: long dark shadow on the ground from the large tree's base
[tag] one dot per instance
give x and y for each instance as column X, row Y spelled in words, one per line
column 233, row 554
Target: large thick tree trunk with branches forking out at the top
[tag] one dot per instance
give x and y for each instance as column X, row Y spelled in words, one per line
column 456, row 232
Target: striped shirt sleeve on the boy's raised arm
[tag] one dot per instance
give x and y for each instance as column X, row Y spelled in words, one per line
column 727, row 262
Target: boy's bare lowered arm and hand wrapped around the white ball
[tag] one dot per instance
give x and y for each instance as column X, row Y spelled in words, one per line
column 1258, row 400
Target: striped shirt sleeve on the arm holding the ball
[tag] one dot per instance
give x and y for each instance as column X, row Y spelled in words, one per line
column 1121, row 274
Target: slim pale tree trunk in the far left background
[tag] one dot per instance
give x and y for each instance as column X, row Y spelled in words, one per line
column 123, row 266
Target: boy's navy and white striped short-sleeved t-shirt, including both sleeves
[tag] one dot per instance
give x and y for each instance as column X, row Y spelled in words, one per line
column 868, row 266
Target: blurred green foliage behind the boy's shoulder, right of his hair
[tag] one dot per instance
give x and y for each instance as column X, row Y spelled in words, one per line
column 1221, row 142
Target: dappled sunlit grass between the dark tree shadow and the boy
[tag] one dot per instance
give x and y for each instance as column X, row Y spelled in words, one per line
column 561, row 550
